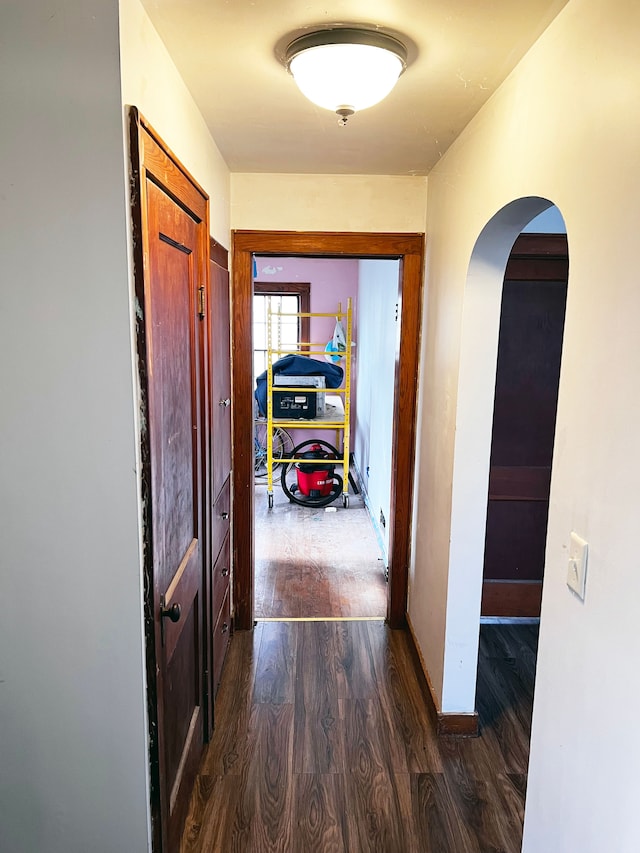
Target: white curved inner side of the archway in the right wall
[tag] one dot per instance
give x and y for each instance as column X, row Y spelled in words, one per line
column 472, row 454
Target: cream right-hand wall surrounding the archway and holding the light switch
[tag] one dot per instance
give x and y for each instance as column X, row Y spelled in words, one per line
column 564, row 127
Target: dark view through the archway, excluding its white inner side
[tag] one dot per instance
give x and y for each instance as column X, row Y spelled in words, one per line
column 524, row 413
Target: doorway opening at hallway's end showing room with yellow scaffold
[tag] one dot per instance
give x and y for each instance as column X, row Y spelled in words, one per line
column 318, row 555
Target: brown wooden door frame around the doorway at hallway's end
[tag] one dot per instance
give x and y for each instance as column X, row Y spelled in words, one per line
column 409, row 250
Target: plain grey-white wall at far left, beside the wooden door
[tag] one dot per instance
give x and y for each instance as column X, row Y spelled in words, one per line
column 73, row 758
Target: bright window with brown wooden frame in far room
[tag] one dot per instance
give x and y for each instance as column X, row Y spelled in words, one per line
column 292, row 332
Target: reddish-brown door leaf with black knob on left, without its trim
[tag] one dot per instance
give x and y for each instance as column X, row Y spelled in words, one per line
column 175, row 422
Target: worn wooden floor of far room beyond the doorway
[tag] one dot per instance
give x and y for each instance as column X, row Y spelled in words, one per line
column 316, row 563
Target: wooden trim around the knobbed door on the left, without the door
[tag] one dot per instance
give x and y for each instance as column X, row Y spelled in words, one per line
column 151, row 158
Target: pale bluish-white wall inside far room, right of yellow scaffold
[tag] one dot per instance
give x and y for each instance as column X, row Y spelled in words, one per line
column 375, row 354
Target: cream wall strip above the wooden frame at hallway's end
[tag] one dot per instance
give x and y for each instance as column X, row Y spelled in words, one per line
column 328, row 202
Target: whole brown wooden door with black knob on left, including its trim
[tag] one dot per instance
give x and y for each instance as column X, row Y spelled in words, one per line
column 171, row 228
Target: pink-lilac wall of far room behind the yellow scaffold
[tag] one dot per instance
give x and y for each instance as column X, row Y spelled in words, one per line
column 332, row 281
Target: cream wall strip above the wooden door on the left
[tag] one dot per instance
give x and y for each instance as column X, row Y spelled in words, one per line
column 150, row 81
